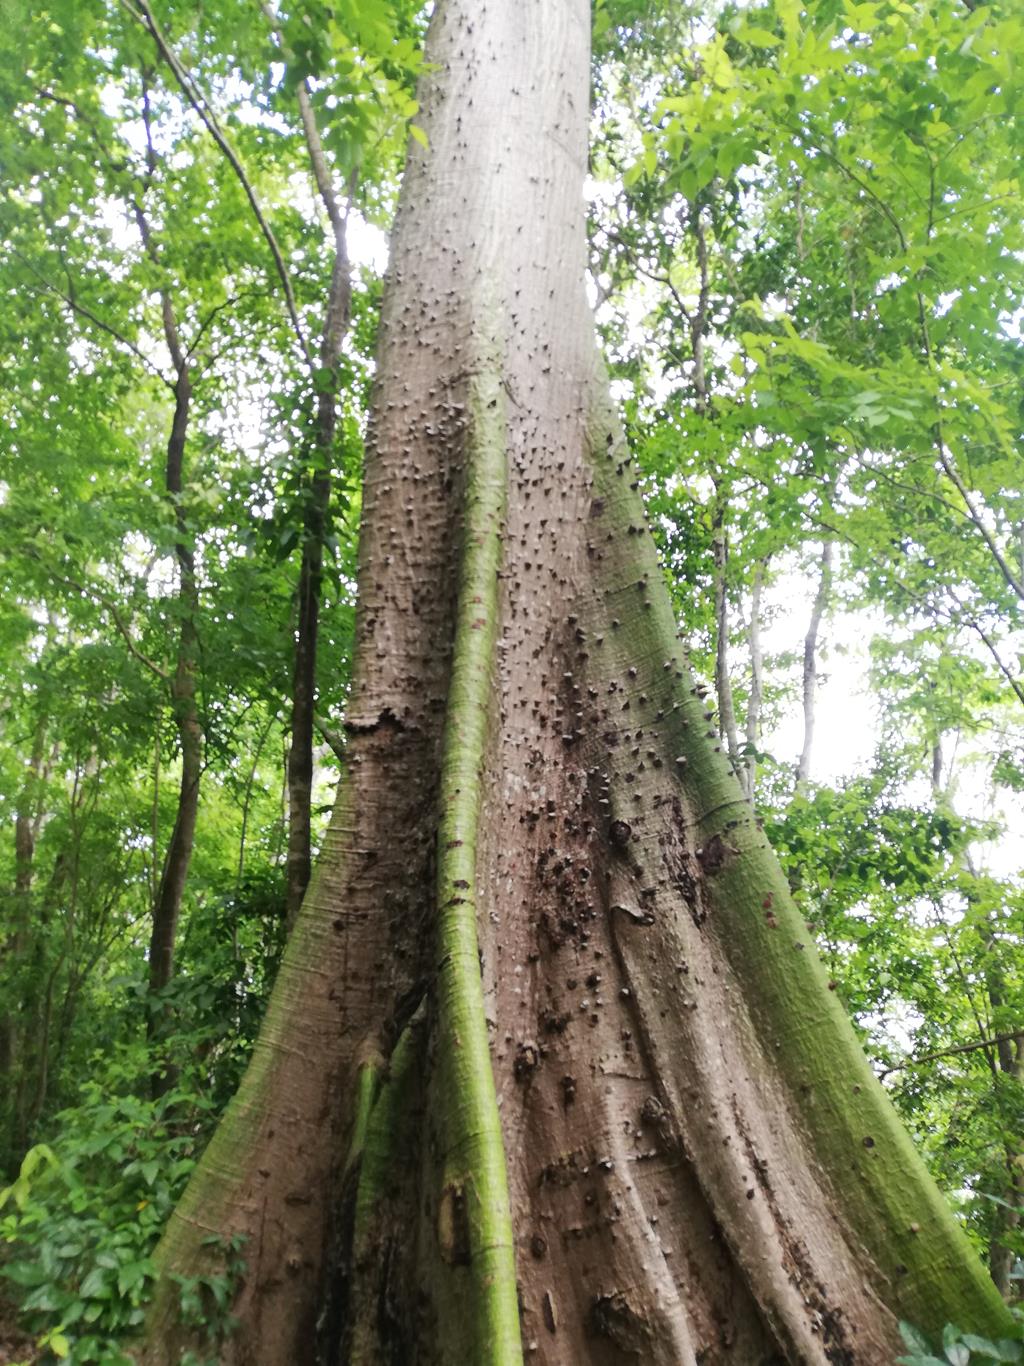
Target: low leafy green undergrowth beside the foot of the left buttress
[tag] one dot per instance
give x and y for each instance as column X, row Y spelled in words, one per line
column 81, row 1219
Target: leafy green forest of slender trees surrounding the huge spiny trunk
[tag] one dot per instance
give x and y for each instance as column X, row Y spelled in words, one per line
column 806, row 257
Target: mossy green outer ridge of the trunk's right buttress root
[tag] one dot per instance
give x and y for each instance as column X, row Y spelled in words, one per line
column 925, row 1268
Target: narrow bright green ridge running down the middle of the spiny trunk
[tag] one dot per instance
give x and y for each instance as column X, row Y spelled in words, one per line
column 474, row 1223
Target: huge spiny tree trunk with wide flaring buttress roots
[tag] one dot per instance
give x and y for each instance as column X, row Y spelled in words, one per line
column 550, row 1044
